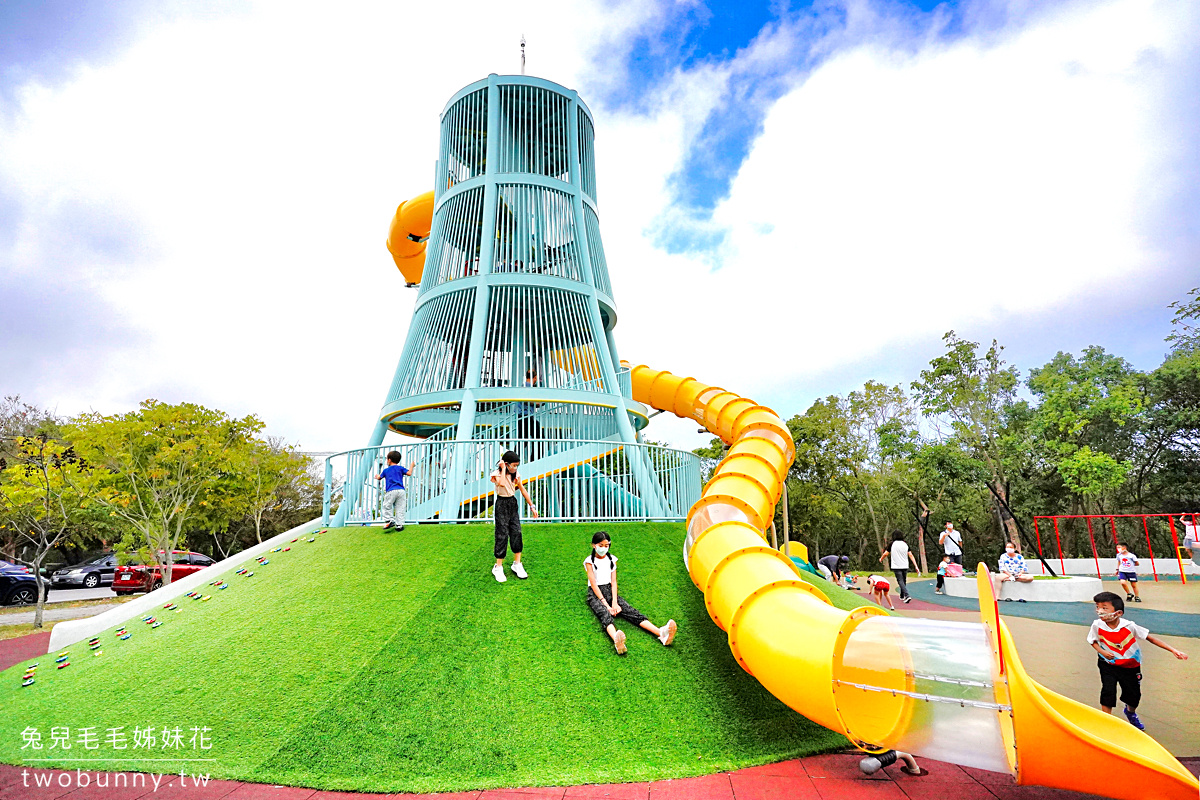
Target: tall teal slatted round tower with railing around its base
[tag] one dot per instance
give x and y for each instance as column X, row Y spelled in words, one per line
column 512, row 340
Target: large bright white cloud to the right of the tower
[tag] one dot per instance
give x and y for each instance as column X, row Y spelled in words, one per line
column 904, row 189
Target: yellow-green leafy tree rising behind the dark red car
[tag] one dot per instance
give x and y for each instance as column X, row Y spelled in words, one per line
column 169, row 468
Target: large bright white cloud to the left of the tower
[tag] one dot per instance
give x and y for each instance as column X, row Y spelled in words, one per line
column 260, row 158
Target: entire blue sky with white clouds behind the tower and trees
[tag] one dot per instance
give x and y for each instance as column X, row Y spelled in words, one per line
column 183, row 190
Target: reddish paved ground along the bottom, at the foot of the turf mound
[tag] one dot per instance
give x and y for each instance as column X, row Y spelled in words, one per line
column 818, row 778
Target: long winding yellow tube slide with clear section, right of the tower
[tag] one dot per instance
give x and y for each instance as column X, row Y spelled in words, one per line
column 952, row 691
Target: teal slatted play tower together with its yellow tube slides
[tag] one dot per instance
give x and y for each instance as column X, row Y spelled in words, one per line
column 511, row 280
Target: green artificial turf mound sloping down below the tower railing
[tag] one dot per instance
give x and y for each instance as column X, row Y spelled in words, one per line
column 394, row 663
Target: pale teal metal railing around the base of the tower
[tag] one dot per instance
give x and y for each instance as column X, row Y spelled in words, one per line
column 568, row 480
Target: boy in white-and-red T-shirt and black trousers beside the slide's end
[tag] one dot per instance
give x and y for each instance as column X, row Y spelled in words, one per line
column 1120, row 664
